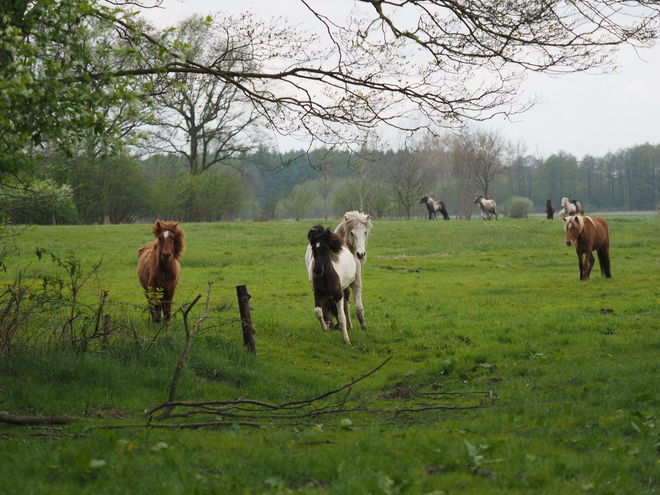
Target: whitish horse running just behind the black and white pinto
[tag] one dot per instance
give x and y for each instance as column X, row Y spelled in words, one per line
column 354, row 229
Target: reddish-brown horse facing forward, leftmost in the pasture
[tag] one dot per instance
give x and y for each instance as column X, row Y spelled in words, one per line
column 159, row 268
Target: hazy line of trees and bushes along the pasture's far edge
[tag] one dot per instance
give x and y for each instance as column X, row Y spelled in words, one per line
column 325, row 183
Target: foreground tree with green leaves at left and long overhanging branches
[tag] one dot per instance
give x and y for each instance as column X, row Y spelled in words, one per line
column 410, row 64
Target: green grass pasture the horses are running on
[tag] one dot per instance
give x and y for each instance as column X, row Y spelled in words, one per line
column 542, row 391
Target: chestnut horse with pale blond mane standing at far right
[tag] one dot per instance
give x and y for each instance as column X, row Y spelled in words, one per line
column 589, row 234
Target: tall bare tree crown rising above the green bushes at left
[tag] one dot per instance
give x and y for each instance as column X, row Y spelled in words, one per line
column 200, row 117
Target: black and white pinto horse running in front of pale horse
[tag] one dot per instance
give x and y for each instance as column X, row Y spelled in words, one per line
column 331, row 269
